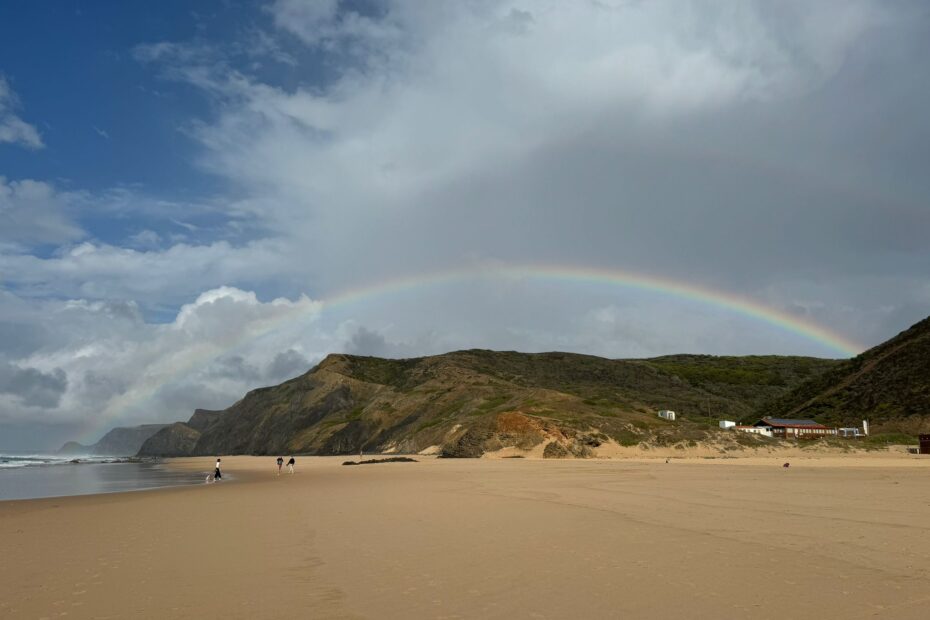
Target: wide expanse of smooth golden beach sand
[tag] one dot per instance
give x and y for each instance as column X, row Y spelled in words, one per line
column 838, row 537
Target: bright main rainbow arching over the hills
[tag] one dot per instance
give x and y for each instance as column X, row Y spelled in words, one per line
column 685, row 291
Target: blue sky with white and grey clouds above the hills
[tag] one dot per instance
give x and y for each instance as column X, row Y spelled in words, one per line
column 202, row 198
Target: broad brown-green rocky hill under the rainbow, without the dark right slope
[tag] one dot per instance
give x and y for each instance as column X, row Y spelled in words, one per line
column 468, row 402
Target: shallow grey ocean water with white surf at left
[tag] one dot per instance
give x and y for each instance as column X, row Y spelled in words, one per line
column 29, row 476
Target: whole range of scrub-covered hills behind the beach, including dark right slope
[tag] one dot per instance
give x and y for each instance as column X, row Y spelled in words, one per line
column 466, row 403
